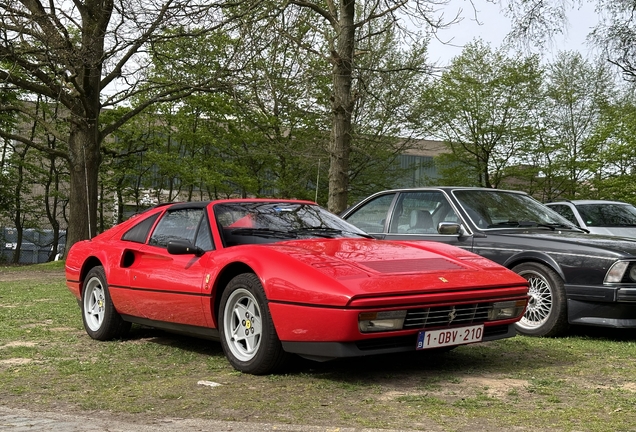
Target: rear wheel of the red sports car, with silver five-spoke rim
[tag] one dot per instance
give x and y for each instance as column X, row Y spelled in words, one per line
column 101, row 320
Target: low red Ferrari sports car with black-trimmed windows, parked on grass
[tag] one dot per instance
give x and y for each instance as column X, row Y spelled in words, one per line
column 273, row 277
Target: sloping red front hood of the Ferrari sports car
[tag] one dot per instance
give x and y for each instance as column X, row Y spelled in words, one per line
column 365, row 268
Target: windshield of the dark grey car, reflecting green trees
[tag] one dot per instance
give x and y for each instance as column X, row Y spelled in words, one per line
column 495, row 209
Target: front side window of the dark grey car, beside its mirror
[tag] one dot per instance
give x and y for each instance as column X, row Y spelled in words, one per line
column 420, row 212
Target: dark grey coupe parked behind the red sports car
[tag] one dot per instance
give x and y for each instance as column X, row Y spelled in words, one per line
column 575, row 277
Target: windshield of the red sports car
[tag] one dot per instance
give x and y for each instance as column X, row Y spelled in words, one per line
column 266, row 222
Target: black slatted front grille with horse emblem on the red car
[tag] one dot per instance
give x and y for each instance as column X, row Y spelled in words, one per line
column 441, row 316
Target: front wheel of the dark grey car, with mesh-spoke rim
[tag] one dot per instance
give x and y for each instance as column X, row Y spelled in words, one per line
column 546, row 314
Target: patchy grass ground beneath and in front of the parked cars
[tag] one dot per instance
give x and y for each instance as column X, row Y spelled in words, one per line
column 583, row 382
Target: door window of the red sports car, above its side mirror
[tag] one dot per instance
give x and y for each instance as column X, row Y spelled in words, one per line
column 179, row 224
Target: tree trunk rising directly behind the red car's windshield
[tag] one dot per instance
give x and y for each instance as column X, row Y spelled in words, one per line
column 342, row 107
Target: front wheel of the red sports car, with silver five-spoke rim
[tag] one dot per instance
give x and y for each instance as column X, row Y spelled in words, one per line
column 247, row 331
